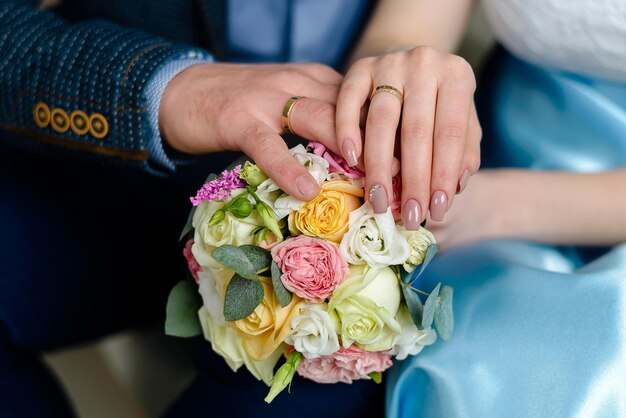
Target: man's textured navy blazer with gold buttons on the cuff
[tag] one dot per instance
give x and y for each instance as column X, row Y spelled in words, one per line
column 76, row 78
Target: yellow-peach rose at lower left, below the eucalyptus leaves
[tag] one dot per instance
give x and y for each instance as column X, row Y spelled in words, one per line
column 266, row 328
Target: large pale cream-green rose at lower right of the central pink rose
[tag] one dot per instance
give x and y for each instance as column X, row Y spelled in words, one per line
column 366, row 304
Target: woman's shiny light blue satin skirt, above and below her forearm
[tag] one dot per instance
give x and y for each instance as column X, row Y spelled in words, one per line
column 540, row 330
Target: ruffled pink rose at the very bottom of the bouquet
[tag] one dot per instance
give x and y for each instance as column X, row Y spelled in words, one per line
column 345, row 365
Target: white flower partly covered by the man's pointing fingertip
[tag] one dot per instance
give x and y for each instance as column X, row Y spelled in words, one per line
column 283, row 204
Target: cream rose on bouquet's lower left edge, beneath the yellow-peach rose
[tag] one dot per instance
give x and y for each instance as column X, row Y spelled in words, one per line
column 226, row 342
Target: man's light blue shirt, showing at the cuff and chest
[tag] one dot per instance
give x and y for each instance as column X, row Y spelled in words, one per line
column 271, row 31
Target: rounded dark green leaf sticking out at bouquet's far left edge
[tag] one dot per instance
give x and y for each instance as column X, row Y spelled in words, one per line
column 182, row 310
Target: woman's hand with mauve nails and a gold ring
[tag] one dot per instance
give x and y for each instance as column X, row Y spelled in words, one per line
column 439, row 140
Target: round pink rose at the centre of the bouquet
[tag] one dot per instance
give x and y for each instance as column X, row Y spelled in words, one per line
column 312, row 267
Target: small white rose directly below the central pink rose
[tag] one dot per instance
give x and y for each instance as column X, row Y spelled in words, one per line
column 313, row 331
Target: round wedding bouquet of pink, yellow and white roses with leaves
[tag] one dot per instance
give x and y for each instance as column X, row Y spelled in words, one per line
column 327, row 285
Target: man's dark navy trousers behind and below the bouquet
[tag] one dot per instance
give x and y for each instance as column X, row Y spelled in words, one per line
column 87, row 250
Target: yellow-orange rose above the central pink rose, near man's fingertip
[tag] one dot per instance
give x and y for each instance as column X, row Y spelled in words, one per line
column 327, row 215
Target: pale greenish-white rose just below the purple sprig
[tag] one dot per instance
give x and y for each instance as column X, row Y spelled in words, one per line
column 231, row 230
